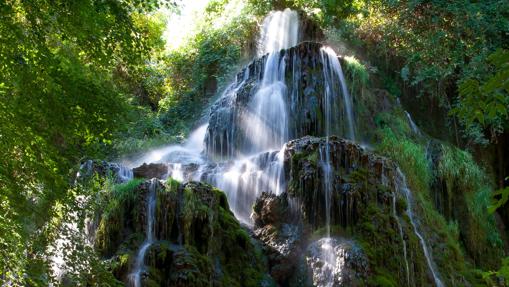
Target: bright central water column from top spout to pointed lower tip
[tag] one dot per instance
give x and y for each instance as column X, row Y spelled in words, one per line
column 264, row 124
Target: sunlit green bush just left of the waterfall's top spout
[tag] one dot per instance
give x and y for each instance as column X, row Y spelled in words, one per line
column 196, row 69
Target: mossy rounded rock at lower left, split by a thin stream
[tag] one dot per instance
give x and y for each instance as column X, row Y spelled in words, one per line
column 198, row 241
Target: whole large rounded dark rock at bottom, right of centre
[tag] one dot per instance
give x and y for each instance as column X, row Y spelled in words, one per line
column 365, row 215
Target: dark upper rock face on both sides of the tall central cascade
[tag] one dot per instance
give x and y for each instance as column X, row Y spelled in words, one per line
column 305, row 101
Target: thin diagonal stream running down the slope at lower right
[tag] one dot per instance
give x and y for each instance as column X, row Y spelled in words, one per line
column 403, row 189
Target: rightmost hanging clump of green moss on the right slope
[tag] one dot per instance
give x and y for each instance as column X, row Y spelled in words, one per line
column 466, row 181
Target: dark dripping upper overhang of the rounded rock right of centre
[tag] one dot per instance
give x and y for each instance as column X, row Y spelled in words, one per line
column 356, row 179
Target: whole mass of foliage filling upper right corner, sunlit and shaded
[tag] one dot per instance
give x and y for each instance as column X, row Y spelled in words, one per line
column 440, row 47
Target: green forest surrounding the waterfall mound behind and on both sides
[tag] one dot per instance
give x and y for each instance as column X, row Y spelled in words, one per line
column 97, row 79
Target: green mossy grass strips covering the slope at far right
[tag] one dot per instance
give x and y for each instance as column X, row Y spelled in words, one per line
column 465, row 186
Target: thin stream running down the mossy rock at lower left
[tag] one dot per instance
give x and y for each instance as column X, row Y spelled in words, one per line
column 135, row 276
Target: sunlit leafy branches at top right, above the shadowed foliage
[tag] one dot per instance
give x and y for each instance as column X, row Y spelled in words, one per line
column 462, row 35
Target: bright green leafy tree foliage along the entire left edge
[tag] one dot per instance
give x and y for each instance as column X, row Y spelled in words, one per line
column 59, row 102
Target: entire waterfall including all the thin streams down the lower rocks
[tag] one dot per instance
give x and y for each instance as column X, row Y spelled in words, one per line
column 242, row 149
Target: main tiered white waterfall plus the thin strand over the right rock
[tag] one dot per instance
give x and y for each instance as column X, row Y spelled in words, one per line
column 244, row 143
